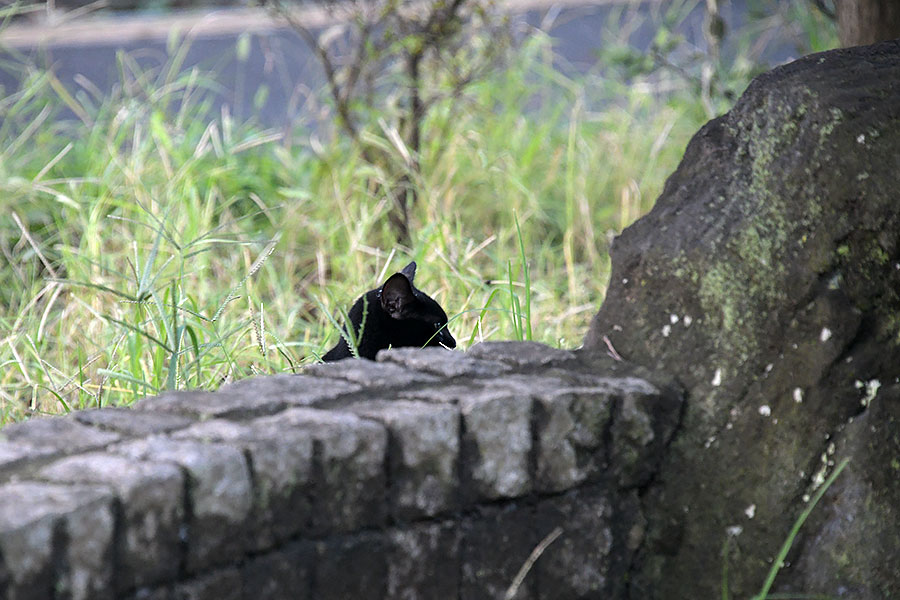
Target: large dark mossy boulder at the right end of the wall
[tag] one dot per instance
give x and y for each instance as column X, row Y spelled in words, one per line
column 766, row 280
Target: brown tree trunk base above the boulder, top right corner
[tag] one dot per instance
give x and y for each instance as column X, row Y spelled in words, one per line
column 862, row 22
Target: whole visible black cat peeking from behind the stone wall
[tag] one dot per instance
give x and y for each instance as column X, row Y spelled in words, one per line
column 397, row 314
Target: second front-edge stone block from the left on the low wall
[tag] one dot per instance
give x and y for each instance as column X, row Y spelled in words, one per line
column 152, row 502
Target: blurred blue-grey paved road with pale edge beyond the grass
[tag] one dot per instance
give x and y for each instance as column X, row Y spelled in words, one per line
column 85, row 51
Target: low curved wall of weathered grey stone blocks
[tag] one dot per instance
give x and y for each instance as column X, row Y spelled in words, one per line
column 427, row 474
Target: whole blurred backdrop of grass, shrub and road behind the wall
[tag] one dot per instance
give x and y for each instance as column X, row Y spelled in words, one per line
column 193, row 192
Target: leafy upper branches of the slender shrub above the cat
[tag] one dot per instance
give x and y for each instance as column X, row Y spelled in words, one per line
column 405, row 38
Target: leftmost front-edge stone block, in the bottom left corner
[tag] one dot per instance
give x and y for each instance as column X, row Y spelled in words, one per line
column 42, row 524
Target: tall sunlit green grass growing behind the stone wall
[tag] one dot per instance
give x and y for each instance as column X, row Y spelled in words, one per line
column 147, row 246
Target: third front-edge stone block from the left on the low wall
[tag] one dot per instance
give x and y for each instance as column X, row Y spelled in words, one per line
column 219, row 490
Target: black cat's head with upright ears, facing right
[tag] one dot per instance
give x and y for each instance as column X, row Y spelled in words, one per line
column 424, row 321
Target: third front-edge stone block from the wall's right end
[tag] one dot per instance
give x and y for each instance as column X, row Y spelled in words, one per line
column 496, row 439
